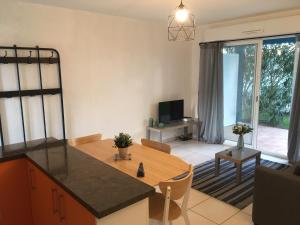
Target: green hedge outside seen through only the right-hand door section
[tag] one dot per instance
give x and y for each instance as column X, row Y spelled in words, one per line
column 276, row 84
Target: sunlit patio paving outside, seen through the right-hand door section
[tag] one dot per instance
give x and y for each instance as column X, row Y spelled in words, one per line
column 272, row 140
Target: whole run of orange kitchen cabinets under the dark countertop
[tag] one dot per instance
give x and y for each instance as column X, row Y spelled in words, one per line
column 29, row 197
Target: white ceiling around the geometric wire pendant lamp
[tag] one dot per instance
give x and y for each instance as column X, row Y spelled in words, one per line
column 205, row 11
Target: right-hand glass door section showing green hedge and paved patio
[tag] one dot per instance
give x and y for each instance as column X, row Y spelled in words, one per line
column 276, row 84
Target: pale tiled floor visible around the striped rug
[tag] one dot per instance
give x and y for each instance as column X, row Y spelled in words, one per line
column 203, row 209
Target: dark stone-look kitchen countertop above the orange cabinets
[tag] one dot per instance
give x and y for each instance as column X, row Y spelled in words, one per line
column 97, row 186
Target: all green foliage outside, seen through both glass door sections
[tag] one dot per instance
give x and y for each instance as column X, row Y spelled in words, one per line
column 275, row 85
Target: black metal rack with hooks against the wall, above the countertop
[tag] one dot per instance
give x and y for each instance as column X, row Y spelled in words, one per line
column 38, row 60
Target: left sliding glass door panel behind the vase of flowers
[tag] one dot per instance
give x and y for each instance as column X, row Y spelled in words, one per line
column 240, row 75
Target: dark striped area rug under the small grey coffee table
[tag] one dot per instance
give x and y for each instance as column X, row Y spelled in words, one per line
column 224, row 186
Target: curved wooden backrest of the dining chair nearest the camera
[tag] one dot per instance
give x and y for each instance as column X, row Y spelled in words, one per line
column 178, row 187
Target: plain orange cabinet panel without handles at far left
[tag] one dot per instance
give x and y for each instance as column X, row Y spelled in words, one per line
column 14, row 193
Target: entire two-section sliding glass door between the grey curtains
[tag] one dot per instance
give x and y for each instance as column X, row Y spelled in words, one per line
column 258, row 83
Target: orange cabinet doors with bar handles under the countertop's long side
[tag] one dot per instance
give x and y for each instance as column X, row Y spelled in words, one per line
column 51, row 205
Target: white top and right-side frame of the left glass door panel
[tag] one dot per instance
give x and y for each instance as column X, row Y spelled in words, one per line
column 256, row 89
